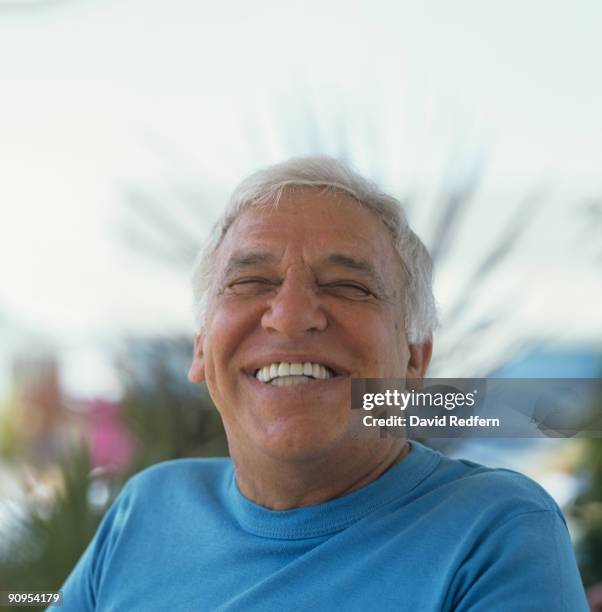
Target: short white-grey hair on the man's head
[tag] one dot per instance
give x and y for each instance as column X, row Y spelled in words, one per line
column 266, row 186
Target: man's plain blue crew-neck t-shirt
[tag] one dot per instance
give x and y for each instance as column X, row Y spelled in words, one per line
column 432, row 533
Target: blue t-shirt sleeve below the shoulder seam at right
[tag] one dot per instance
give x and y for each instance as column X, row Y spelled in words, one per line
column 527, row 563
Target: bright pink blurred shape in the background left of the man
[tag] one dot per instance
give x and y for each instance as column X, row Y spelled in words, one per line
column 111, row 444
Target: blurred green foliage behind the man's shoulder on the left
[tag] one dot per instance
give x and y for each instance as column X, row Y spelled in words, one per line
column 168, row 420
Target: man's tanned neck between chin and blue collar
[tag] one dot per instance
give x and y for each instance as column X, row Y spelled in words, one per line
column 282, row 484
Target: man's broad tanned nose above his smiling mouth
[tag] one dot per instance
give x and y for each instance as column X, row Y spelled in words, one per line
column 295, row 309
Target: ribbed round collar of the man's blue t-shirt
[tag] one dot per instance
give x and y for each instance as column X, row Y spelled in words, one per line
column 336, row 514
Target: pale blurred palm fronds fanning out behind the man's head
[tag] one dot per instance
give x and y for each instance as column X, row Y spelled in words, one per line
column 167, row 227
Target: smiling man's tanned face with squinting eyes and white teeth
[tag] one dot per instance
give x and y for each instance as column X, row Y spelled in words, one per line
column 316, row 281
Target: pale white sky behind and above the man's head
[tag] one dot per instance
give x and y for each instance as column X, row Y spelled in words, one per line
column 97, row 97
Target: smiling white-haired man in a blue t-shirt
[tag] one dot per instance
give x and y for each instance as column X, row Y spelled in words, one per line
column 313, row 277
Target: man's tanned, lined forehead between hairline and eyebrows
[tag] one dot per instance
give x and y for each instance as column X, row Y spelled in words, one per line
column 312, row 222
